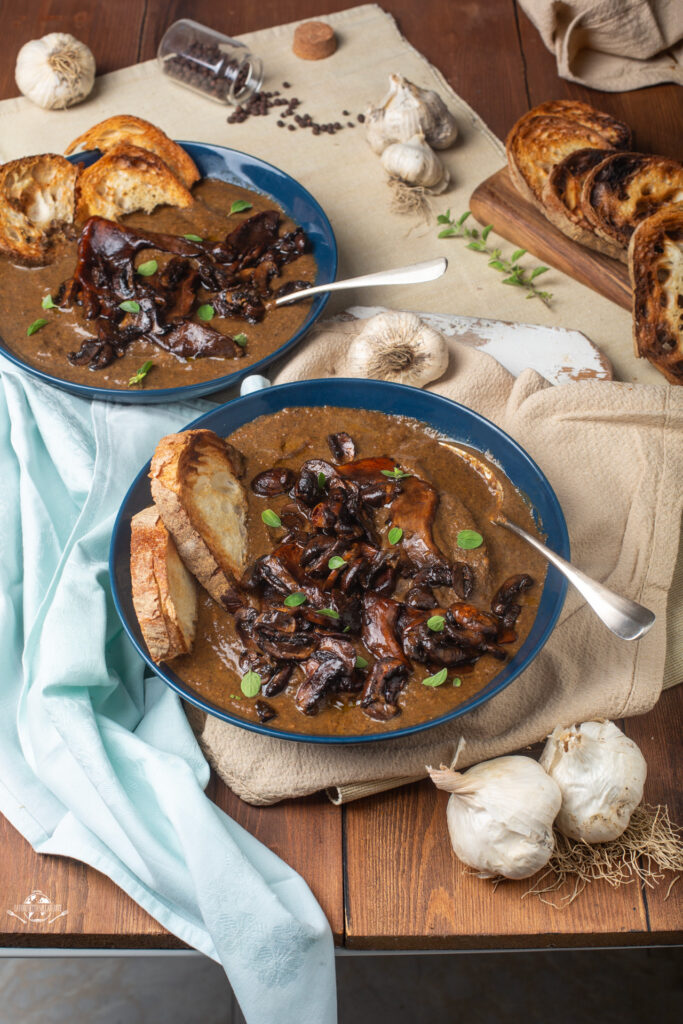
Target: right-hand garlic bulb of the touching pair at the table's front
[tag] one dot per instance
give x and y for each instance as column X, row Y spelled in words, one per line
column 602, row 775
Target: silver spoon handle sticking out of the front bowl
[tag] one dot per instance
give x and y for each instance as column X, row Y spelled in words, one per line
column 626, row 619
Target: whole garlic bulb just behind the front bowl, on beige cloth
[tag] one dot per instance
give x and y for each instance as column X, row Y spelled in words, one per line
column 398, row 347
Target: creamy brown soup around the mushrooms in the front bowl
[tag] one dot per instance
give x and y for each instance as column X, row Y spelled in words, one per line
column 289, row 439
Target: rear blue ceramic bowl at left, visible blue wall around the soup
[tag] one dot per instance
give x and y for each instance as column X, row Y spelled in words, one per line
column 248, row 173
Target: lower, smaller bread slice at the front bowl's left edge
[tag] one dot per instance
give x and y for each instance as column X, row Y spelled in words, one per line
column 164, row 592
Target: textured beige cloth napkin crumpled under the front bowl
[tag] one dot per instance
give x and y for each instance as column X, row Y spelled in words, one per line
column 614, row 454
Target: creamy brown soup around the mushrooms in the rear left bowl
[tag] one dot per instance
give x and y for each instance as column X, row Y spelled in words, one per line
column 22, row 291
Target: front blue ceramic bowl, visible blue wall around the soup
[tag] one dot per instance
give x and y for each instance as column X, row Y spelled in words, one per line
column 449, row 418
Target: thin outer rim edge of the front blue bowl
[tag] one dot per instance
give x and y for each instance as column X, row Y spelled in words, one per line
column 562, row 547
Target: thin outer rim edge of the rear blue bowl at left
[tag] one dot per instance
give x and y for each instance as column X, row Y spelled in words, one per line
column 186, row 392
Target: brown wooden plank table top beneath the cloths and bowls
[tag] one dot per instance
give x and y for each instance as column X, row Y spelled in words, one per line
column 382, row 868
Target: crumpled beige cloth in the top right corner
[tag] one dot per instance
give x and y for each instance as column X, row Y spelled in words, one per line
column 614, row 46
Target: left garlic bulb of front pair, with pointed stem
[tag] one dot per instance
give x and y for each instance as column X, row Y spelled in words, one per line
column 501, row 816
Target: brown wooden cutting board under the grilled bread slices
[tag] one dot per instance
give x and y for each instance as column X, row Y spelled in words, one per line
column 497, row 202
